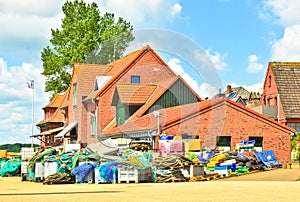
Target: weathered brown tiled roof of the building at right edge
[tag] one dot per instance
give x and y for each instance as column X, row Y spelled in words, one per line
column 287, row 79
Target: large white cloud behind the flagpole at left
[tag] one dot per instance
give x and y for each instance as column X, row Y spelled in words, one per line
column 16, row 101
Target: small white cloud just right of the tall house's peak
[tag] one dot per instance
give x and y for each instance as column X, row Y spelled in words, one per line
column 206, row 58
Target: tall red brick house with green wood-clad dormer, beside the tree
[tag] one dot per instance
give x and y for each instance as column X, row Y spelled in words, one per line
column 89, row 108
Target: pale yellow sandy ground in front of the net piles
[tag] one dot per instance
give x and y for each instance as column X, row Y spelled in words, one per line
column 274, row 185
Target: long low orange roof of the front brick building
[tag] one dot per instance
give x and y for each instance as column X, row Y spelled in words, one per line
column 177, row 114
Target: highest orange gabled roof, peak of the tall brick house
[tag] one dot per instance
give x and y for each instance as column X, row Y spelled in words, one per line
column 122, row 65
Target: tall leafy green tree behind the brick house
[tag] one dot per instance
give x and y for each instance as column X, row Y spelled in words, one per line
column 85, row 37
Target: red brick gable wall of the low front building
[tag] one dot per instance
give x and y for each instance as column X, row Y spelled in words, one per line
column 240, row 124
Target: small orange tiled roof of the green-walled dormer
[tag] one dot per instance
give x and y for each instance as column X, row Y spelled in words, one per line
column 133, row 94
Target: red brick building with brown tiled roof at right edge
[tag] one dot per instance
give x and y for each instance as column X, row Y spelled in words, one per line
column 281, row 90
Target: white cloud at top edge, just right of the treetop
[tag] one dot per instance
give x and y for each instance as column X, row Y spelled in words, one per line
column 143, row 12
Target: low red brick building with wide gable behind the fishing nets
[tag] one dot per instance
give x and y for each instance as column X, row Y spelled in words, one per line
column 217, row 123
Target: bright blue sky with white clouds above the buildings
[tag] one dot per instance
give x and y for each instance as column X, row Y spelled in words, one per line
column 239, row 37
